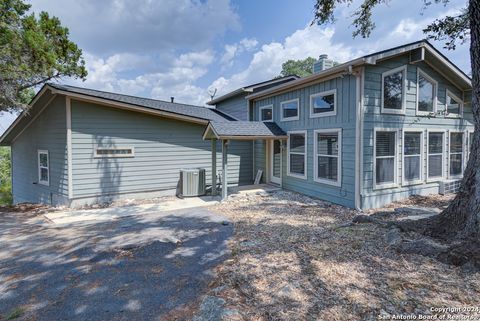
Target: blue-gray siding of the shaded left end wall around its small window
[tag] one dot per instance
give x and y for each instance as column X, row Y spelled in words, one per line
column 46, row 132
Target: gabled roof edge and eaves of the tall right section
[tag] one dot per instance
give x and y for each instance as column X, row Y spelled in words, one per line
column 419, row 50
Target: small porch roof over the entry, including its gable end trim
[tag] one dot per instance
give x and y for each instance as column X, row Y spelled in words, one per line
column 243, row 130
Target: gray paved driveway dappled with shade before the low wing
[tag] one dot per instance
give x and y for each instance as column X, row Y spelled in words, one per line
column 134, row 268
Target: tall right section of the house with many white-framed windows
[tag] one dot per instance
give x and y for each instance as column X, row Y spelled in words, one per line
column 369, row 131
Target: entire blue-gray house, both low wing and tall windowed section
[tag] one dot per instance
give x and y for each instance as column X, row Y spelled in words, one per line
column 362, row 134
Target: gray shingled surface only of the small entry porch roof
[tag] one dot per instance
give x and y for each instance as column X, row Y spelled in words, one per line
column 247, row 128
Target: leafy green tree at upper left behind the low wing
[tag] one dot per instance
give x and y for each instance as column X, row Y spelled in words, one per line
column 33, row 51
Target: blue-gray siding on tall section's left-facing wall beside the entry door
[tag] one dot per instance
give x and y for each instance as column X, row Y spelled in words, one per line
column 345, row 119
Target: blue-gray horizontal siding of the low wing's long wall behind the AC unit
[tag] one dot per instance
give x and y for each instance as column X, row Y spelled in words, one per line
column 162, row 147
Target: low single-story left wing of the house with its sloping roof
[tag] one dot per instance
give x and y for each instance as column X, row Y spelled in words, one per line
column 78, row 146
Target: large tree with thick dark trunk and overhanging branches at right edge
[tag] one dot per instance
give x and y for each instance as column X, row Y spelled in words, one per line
column 461, row 220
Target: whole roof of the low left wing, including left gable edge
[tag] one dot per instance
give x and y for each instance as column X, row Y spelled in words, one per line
column 190, row 113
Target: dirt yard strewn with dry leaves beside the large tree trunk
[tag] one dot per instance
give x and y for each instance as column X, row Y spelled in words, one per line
column 293, row 260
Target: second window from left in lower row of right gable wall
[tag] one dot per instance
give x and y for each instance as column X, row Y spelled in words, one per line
column 412, row 157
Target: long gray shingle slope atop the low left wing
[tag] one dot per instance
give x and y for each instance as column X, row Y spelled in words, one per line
column 203, row 113
